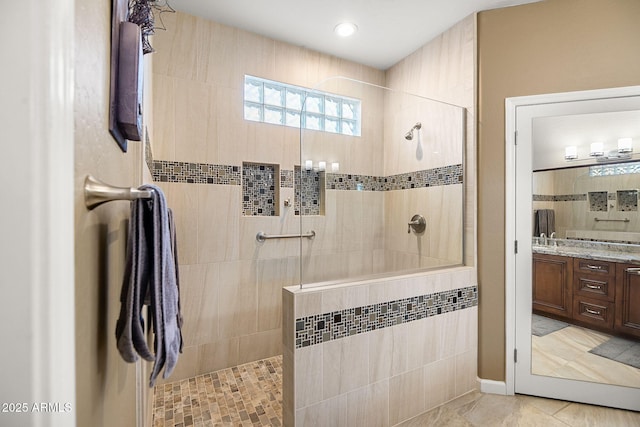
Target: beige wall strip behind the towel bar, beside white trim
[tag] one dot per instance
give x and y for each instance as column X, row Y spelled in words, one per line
column 105, row 384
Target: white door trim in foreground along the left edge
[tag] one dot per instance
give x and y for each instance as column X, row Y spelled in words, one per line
column 37, row 249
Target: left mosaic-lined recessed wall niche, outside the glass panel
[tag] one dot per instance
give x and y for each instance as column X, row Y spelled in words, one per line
column 259, row 183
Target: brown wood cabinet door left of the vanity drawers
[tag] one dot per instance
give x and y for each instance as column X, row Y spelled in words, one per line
column 552, row 283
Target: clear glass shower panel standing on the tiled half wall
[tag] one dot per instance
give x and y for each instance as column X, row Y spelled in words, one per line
column 360, row 193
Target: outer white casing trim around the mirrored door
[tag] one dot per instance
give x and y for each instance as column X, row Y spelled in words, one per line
column 511, row 234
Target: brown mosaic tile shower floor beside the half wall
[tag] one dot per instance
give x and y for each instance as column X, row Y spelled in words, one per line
column 245, row 395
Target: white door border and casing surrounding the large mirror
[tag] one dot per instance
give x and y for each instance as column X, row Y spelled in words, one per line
column 523, row 116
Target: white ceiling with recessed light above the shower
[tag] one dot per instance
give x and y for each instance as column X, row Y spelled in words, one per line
column 388, row 30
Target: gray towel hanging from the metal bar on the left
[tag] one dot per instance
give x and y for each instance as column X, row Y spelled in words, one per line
column 151, row 275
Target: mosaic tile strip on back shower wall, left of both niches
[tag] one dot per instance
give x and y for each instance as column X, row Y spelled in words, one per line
column 195, row 173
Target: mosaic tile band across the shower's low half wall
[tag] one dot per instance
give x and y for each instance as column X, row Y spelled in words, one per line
column 319, row 328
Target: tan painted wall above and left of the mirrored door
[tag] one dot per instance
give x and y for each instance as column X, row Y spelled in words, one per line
column 545, row 47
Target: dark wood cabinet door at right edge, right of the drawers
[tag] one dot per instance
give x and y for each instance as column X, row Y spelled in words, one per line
column 628, row 299
